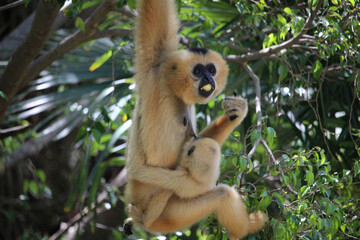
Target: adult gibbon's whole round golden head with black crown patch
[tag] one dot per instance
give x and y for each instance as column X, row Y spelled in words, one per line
column 195, row 75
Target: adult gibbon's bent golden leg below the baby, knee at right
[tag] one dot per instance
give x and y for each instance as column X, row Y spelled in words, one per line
column 224, row 201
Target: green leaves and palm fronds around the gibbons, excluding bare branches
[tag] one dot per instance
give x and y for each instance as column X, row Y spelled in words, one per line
column 305, row 171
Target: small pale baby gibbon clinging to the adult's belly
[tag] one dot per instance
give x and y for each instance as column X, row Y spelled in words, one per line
column 201, row 160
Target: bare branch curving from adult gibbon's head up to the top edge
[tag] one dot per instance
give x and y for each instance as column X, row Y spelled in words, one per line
column 277, row 48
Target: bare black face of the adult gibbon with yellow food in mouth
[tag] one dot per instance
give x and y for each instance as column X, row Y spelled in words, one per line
column 205, row 74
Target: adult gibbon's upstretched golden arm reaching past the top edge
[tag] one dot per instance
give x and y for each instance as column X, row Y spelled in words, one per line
column 155, row 34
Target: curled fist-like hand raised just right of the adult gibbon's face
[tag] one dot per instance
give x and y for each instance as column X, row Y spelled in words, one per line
column 235, row 107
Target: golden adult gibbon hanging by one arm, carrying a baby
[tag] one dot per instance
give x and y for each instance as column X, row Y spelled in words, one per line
column 169, row 82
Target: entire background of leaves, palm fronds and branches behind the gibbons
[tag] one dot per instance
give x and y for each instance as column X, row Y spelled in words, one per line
column 67, row 96
